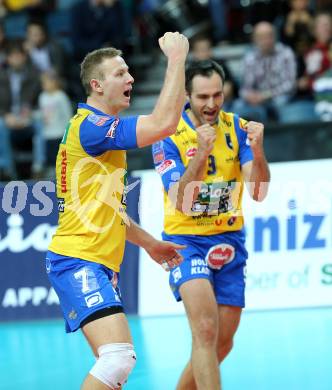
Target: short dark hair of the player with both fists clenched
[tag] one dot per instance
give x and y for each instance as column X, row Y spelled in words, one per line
column 203, row 68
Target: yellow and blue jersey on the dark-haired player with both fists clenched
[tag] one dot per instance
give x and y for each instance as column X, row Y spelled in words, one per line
column 217, row 209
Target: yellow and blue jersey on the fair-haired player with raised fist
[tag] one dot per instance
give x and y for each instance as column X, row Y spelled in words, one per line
column 91, row 180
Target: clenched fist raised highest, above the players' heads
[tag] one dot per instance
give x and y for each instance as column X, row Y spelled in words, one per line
column 174, row 45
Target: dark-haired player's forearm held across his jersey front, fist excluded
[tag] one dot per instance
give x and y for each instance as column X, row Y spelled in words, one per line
column 190, row 183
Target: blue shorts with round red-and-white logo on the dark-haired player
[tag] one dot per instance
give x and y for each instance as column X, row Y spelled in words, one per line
column 219, row 258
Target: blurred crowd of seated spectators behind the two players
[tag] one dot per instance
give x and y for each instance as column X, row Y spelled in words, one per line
column 286, row 72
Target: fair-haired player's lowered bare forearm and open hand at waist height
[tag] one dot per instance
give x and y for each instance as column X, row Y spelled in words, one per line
column 160, row 251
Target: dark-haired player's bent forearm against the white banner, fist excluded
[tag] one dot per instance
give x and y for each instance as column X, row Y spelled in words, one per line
column 259, row 178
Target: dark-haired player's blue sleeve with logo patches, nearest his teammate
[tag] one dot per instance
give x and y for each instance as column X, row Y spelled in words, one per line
column 167, row 162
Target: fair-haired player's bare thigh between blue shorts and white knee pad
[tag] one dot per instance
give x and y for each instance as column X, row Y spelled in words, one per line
column 106, row 330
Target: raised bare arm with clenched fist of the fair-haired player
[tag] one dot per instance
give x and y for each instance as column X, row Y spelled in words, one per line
column 165, row 116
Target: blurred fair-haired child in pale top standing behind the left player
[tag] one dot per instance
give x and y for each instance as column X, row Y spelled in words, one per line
column 56, row 111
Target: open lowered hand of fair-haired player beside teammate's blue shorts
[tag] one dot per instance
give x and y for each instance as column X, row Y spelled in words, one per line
column 165, row 253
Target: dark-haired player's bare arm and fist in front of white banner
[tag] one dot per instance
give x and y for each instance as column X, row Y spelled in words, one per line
column 256, row 173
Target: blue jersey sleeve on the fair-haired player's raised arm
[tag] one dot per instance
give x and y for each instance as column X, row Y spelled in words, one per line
column 99, row 134
